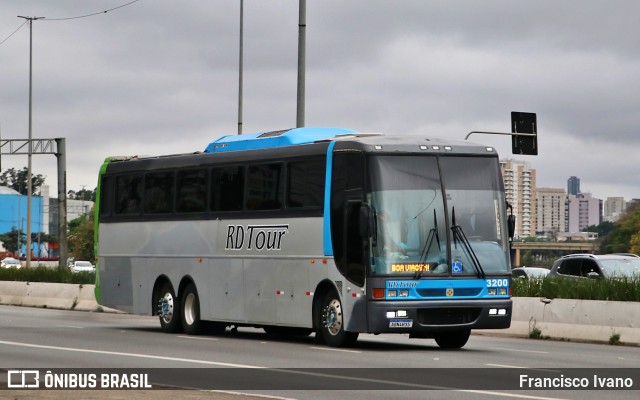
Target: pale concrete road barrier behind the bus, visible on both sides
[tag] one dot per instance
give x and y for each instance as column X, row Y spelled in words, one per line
column 564, row 319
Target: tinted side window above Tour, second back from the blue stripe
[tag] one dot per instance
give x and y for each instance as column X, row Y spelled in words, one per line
column 264, row 187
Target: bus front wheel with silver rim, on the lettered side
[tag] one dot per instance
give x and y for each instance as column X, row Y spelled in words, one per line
column 331, row 323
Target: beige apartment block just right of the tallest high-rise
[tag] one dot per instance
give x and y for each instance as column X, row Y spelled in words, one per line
column 550, row 211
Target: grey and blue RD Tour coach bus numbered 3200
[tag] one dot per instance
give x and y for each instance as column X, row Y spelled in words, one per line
column 323, row 230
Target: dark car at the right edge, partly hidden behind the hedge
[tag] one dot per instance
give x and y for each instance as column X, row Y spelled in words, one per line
column 597, row 266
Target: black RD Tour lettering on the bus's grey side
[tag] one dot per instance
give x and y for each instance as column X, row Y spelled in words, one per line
column 256, row 237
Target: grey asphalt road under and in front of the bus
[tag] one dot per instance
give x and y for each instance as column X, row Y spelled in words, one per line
column 486, row 368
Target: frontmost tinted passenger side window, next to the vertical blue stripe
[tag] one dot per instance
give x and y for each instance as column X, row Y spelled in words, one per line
column 306, row 183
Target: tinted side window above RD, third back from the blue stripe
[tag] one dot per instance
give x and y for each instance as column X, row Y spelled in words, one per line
column 227, row 186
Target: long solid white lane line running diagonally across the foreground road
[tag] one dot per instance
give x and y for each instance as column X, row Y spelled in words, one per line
column 296, row 372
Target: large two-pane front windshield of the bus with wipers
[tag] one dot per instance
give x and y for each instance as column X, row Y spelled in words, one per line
column 437, row 216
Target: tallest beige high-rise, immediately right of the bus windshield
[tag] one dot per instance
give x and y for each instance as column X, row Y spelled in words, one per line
column 520, row 191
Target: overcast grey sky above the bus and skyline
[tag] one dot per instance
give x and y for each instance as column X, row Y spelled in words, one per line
column 161, row 77
